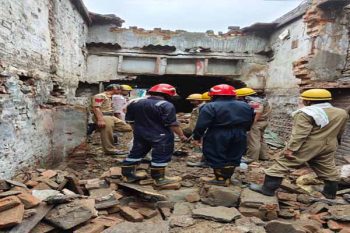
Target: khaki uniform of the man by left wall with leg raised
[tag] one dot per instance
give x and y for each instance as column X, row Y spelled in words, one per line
column 104, row 102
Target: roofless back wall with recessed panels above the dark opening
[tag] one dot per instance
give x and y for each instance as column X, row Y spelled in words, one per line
column 117, row 52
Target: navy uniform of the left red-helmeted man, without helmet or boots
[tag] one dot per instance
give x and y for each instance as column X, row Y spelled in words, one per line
column 152, row 118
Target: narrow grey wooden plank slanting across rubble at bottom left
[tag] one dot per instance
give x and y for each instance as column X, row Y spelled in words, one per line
column 28, row 224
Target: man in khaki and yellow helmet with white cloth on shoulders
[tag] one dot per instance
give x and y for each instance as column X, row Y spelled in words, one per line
column 316, row 133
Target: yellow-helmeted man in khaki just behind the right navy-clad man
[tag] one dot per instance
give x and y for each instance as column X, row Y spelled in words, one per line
column 257, row 148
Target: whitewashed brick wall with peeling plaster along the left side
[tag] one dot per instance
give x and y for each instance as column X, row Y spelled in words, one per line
column 42, row 54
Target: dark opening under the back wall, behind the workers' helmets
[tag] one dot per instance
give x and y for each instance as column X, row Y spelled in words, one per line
column 185, row 85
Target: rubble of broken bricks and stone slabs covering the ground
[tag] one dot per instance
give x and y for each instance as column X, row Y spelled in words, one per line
column 75, row 199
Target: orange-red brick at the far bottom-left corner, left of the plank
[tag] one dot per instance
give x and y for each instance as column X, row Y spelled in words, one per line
column 11, row 217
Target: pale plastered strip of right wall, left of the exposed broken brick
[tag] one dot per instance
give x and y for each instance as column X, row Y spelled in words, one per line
column 281, row 85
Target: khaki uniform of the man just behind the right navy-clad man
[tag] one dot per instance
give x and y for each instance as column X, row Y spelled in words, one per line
column 257, row 148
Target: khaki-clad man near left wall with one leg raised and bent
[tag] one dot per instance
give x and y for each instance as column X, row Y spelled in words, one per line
column 106, row 121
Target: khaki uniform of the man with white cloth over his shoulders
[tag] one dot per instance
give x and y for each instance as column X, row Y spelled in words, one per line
column 313, row 145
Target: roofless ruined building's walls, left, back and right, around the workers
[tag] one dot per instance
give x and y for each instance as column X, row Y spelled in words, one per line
column 55, row 54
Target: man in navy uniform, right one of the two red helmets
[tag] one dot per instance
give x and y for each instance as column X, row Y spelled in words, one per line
column 223, row 124
